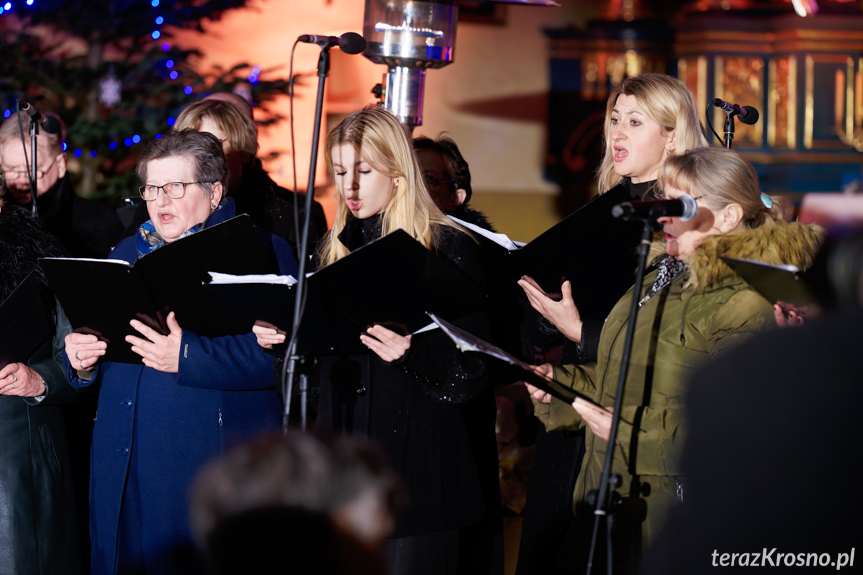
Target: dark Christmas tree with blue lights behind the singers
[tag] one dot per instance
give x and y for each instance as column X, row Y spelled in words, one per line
column 110, row 70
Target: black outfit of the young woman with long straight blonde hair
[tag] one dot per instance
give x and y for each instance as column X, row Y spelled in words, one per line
column 433, row 414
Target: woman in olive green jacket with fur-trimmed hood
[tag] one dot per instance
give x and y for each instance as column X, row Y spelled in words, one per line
column 692, row 308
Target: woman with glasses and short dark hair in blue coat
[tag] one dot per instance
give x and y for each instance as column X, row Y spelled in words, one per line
column 159, row 422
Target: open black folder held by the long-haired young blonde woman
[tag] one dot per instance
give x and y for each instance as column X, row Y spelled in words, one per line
column 392, row 281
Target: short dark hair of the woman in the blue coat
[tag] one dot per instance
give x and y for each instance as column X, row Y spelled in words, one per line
column 202, row 147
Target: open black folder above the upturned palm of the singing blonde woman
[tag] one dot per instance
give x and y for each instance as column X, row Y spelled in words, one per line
column 591, row 248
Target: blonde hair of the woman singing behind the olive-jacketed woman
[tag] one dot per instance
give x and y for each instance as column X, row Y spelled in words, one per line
column 665, row 100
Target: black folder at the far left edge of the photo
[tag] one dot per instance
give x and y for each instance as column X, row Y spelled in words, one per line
column 23, row 325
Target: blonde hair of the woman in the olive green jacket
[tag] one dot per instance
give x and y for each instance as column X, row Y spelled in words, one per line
column 721, row 177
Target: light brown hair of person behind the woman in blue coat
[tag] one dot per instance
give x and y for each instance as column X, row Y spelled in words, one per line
column 240, row 129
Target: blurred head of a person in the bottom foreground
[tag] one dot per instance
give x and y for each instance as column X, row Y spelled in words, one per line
column 312, row 505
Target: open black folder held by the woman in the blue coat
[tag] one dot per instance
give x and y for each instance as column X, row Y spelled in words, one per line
column 101, row 296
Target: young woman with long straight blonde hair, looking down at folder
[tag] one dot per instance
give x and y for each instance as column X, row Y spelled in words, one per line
column 427, row 405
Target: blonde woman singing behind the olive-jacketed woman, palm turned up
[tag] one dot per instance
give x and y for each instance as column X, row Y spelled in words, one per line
column 649, row 118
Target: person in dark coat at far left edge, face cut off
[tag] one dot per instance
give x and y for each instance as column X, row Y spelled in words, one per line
column 37, row 503
